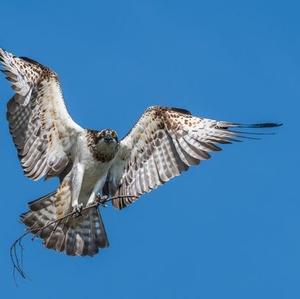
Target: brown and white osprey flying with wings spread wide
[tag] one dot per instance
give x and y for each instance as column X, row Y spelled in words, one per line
column 162, row 144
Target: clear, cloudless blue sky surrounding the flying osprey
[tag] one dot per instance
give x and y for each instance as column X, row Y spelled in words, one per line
column 227, row 229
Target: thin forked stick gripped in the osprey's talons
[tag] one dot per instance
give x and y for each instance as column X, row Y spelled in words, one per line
column 18, row 263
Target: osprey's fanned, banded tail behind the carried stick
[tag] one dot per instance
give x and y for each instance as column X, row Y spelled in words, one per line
column 83, row 235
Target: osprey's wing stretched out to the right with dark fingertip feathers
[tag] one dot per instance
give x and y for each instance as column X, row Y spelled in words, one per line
column 163, row 144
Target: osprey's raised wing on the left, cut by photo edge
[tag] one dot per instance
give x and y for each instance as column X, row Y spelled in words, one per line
column 41, row 128
